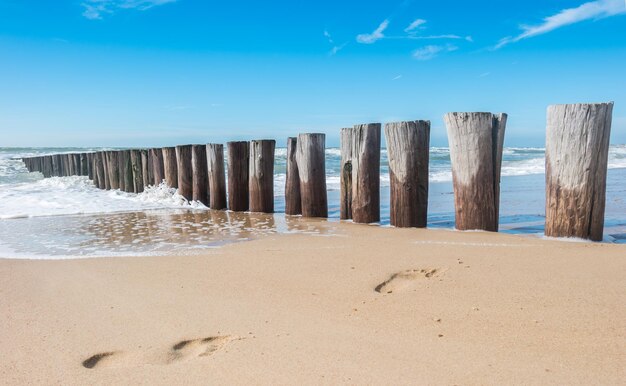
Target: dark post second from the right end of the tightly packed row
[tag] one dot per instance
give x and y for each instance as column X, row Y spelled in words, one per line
column 238, row 172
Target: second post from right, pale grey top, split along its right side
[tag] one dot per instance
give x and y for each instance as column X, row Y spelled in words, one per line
column 476, row 141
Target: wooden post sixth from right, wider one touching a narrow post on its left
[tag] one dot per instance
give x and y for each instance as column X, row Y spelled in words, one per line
column 311, row 159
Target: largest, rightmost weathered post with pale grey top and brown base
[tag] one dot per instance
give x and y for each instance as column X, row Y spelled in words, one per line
column 577, row 146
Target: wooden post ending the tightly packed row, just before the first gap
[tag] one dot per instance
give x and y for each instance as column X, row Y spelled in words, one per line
column 261, row 175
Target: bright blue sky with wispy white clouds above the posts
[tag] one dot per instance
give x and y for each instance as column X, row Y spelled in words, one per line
column 166, row 72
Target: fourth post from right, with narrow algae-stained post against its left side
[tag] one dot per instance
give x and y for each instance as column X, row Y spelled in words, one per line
column 366, row 173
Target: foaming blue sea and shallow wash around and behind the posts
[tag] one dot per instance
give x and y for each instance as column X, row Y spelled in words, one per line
column 68, row 217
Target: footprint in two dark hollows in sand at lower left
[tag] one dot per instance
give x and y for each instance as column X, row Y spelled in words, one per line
column 181, row 351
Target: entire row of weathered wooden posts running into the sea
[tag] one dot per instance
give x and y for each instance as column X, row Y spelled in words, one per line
column 577, row 145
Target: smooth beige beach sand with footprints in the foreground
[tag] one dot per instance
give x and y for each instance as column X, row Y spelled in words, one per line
column 451, row 308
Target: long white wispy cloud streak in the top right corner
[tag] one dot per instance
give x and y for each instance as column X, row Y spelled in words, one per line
column 591, row 10
